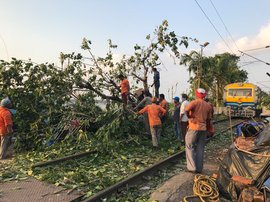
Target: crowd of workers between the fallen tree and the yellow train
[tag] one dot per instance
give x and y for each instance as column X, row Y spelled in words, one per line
column 192, row 120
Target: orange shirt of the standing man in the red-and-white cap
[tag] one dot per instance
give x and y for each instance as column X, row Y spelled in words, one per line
column 199, row 111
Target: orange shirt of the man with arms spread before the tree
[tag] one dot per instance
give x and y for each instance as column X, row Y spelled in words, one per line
column 154, row 111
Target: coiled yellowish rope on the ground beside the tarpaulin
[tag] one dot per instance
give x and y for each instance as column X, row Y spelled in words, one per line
column 205, row 189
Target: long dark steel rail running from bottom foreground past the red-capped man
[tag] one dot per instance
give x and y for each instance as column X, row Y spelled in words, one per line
column 138, row 176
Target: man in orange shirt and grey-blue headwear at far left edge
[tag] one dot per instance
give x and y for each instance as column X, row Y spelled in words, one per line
column 5, row 126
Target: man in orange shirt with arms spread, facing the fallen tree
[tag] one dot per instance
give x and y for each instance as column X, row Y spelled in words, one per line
column 154, row 112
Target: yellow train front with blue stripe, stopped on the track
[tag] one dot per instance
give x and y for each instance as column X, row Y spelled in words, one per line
column 240, row 99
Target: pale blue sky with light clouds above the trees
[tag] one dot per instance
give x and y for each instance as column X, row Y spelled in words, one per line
column 40, row 30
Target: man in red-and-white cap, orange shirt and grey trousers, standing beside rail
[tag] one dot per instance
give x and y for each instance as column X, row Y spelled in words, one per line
column 199, row 112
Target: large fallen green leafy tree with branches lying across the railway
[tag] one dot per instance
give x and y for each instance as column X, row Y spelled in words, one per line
column 43, row 93
